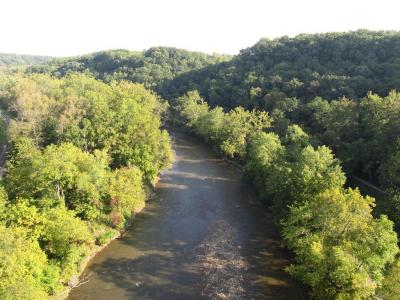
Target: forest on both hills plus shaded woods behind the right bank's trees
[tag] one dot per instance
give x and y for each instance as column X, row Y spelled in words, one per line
column 336, row 86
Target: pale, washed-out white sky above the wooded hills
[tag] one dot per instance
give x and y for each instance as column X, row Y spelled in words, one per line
column 72, row 27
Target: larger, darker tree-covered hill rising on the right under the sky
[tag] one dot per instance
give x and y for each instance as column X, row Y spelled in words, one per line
column 328, row 65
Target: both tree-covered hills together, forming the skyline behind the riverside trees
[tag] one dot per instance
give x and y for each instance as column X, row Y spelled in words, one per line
column 330, row 65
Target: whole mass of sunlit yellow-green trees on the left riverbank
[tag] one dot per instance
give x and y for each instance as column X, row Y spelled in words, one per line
column 82, row 156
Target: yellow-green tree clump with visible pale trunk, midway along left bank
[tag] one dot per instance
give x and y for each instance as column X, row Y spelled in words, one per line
column 75, row 178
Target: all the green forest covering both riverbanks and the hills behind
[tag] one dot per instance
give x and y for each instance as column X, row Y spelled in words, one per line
column 300, row 114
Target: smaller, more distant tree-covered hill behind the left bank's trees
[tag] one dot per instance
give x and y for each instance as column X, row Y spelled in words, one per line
column 151, row 67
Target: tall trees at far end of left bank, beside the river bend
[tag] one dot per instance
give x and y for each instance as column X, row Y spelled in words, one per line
column 122, row 119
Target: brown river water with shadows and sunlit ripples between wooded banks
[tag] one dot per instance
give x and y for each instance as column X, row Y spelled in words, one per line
column 204, row 236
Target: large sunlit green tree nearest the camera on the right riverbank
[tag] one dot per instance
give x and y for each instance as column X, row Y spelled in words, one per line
column 341, row 250
